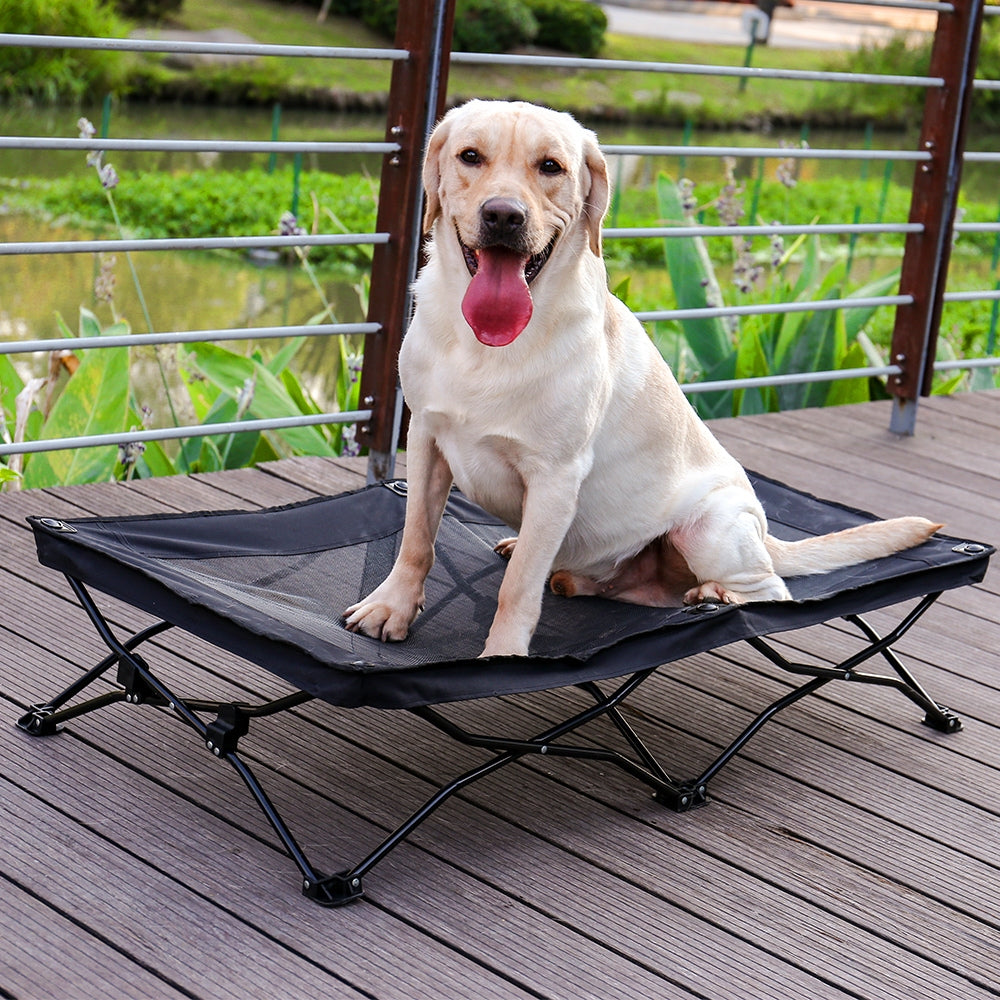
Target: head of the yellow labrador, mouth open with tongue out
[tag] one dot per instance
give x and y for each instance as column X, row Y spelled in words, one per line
column 510, row 183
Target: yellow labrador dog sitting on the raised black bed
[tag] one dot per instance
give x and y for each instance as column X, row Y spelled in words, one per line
column 538, row 393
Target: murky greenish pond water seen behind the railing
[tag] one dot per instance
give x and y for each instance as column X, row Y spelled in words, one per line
column 207, row 290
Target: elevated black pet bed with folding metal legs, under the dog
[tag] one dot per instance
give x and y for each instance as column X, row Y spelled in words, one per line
column 269, row 585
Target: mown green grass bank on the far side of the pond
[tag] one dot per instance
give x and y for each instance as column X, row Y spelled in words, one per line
column 647, row 96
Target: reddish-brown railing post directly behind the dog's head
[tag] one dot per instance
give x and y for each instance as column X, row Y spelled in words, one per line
column 416, row 101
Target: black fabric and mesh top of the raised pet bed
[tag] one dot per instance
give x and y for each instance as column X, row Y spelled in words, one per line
column 270, row 586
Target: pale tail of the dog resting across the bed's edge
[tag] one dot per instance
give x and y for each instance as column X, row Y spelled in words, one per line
column 824, row 553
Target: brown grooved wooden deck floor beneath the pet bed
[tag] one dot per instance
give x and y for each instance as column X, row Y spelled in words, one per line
column 848, row 852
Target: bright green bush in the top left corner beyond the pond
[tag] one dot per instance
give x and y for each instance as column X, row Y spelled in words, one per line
column 54, row 74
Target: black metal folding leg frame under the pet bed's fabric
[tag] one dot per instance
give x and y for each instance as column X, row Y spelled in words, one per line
column 139, row 686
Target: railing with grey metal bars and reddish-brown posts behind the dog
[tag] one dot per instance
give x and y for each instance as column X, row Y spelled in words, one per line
column 418, row 95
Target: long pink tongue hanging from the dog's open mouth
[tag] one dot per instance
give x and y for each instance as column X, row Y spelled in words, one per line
column 498, row 304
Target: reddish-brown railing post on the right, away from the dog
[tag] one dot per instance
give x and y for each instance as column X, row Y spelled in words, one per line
column 935, row 196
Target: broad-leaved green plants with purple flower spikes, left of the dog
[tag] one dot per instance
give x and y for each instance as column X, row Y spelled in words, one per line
column 222, row 386
